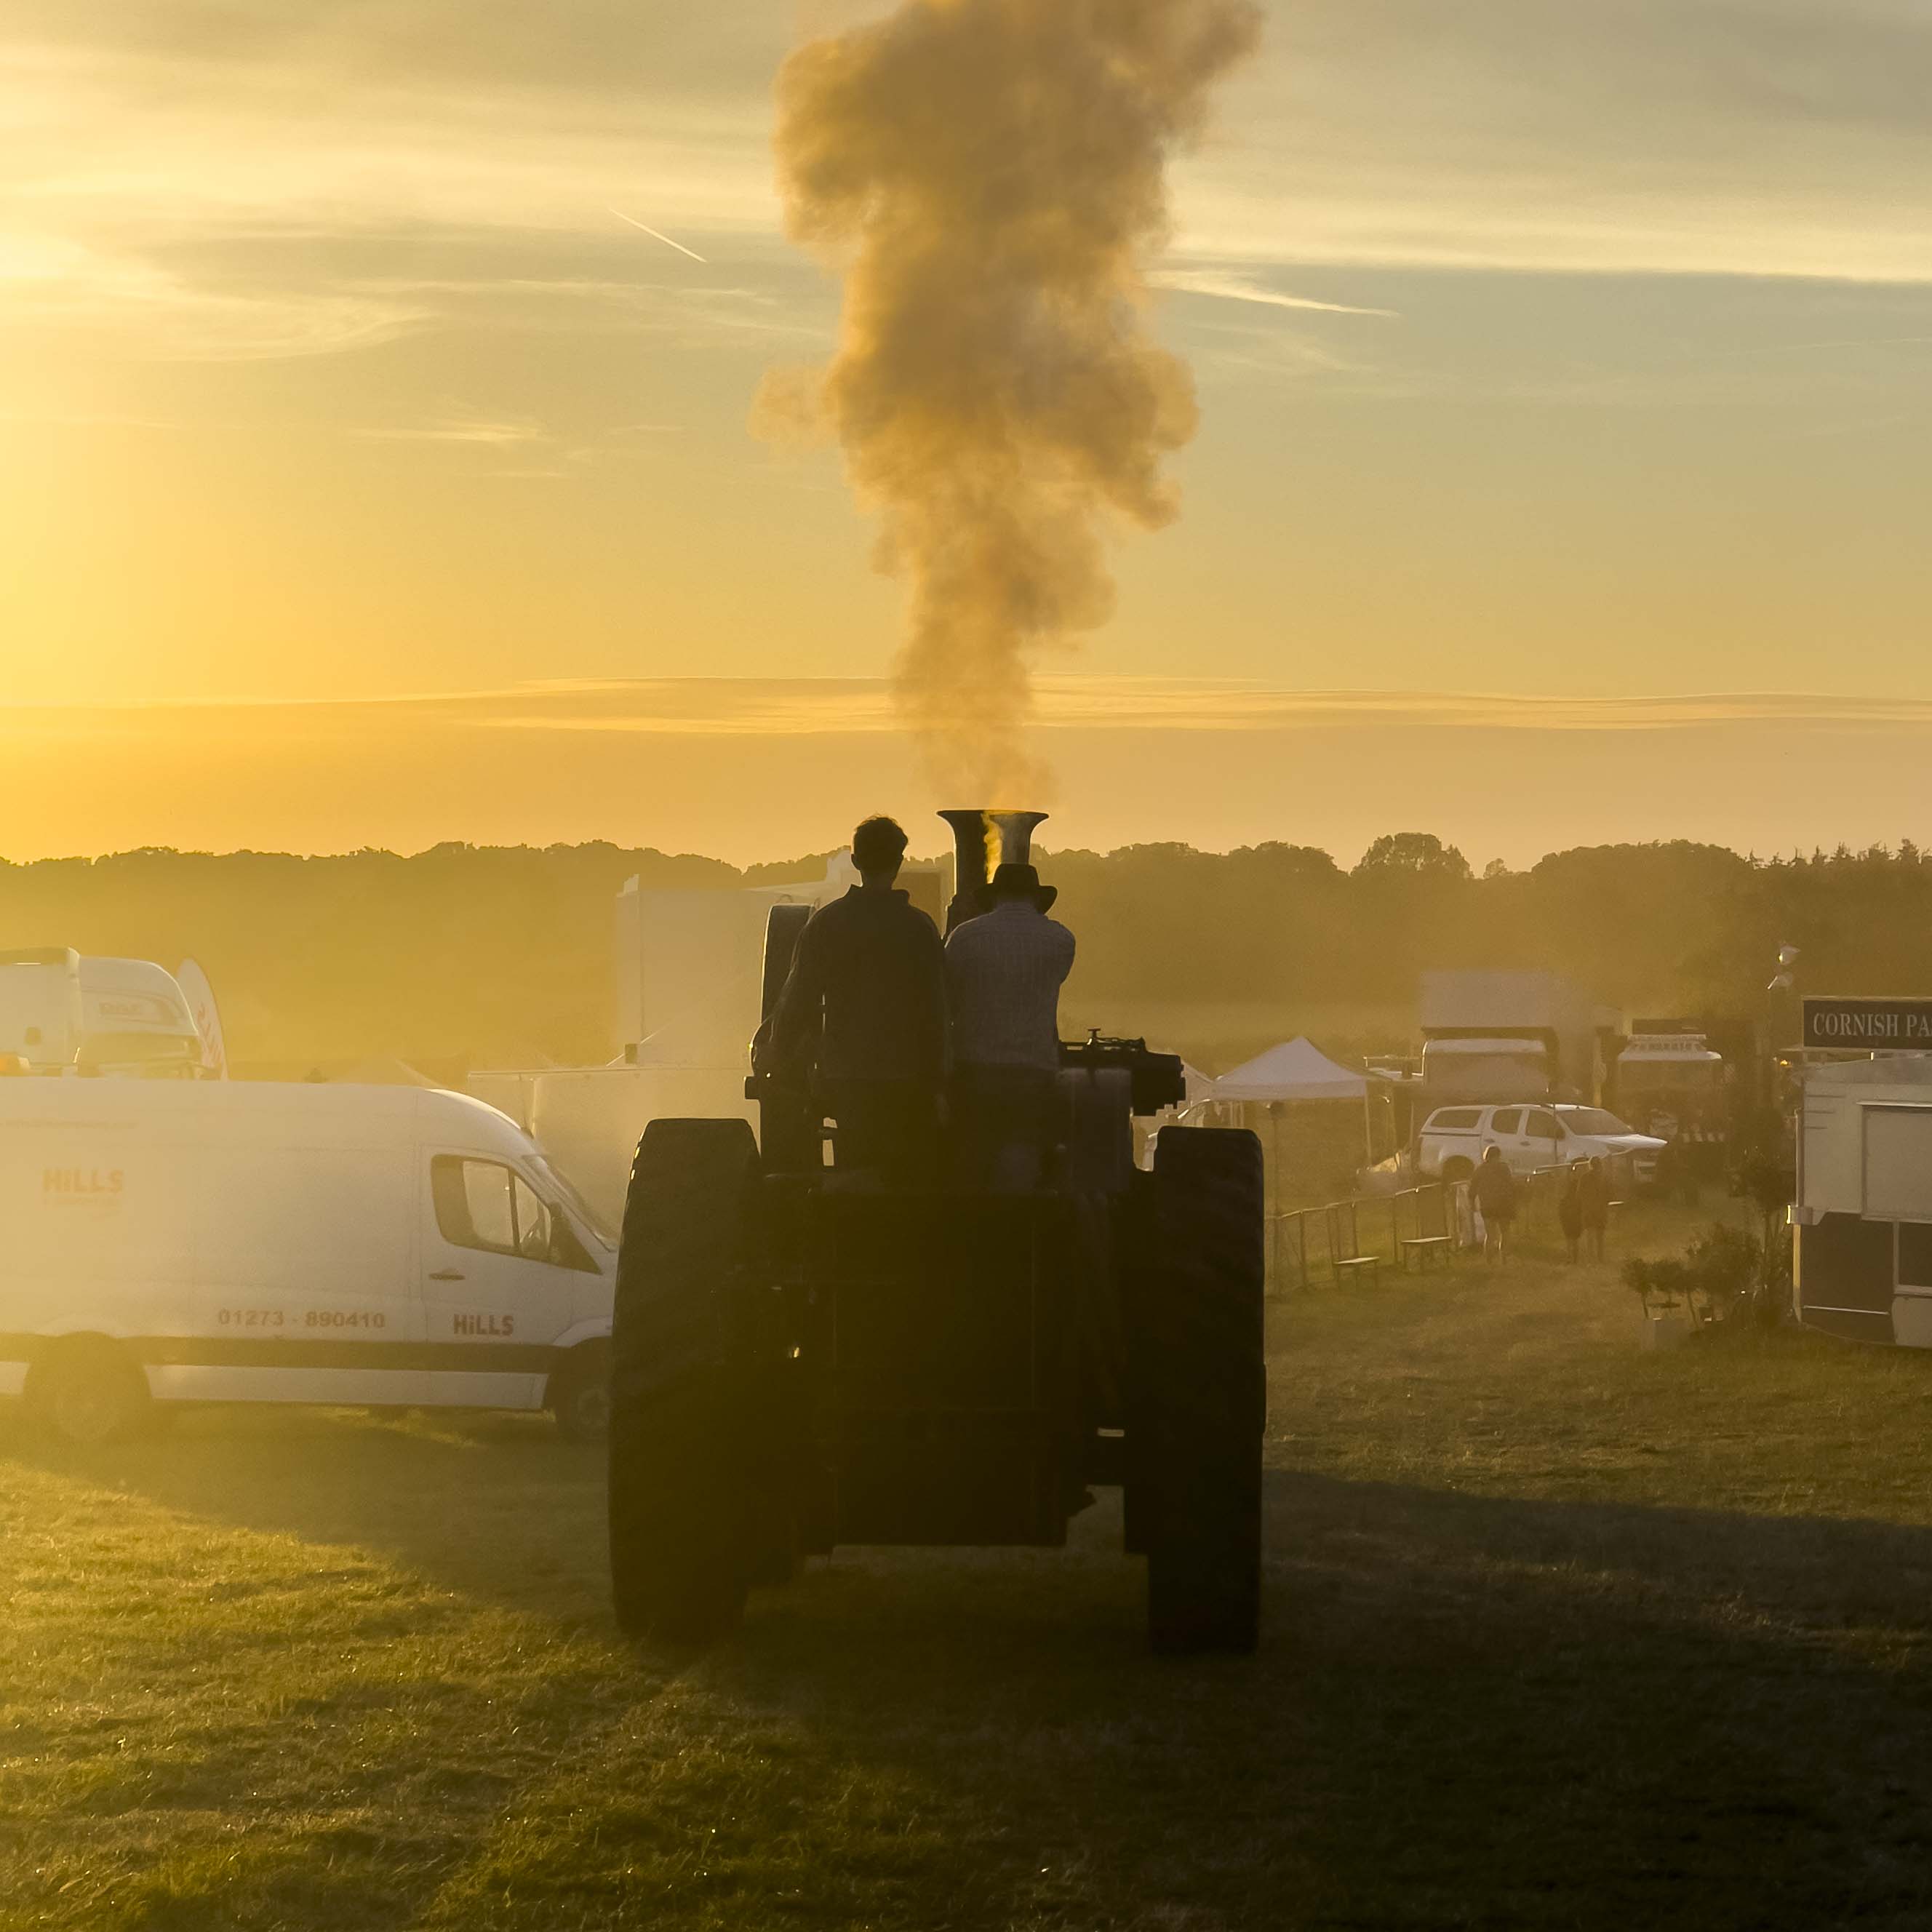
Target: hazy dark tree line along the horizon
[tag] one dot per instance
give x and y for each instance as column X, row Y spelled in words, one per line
column 503, row 955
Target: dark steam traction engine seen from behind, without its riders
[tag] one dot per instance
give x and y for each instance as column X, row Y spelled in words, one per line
column 803, row 1361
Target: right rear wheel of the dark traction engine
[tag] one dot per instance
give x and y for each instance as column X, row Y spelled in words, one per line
column 1203, row 1386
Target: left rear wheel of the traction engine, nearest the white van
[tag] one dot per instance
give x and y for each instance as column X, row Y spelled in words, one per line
column 685, row 1427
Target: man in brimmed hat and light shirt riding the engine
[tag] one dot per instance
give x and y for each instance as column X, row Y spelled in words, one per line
column 1004, row 986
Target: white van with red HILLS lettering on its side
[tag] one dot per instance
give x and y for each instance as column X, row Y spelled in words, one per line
column 229, row 1241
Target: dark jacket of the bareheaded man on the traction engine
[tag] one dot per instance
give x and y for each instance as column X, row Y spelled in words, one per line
column 867, row 998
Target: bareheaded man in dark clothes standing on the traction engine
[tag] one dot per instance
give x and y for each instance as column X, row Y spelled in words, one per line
column 865, row 1019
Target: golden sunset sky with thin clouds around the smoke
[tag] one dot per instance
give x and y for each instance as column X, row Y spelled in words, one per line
column 1547, row 349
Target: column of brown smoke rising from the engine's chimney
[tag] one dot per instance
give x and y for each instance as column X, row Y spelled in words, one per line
column 992, row 179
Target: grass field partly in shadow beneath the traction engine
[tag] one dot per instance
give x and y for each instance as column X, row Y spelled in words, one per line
column 1560, row 1634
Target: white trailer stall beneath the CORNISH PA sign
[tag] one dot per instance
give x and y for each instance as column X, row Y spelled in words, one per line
column 1863, row 1214
